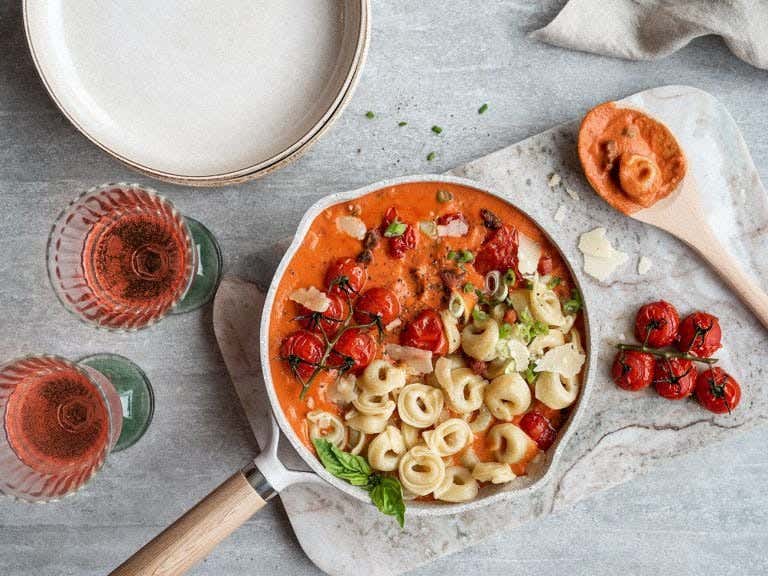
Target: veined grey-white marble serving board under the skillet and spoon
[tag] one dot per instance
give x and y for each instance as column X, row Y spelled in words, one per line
column 621, row 434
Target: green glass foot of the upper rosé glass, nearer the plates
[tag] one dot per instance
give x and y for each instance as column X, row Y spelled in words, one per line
column 208, row 274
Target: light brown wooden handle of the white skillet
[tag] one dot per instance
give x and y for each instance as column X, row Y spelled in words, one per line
column 193, row 536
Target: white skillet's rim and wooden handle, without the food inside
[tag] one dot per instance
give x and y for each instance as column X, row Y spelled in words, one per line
column 196, row 533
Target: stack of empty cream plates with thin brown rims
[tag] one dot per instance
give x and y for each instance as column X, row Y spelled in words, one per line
column 197, row 91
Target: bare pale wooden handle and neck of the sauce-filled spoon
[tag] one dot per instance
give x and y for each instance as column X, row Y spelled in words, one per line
column 681, row 215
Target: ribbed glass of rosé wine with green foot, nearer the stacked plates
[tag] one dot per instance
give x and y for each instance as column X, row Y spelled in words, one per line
column 121, row 257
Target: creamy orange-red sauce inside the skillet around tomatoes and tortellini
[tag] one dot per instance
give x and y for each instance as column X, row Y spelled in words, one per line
column 415, row 279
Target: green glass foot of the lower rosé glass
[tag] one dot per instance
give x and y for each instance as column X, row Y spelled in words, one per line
column 135, row 392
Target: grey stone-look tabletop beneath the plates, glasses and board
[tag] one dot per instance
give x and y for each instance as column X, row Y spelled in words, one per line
column 706, row 514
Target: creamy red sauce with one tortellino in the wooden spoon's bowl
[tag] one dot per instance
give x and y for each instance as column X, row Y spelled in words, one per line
column 630, row 159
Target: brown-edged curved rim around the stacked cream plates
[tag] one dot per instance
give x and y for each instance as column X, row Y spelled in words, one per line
column 266, row 166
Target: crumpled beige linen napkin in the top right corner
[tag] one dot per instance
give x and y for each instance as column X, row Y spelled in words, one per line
column 650, row 29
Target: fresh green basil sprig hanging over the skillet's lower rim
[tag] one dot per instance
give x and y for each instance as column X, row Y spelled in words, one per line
column 386, row 491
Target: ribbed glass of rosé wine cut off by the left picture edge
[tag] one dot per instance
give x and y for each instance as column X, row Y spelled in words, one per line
column 60, row 419
